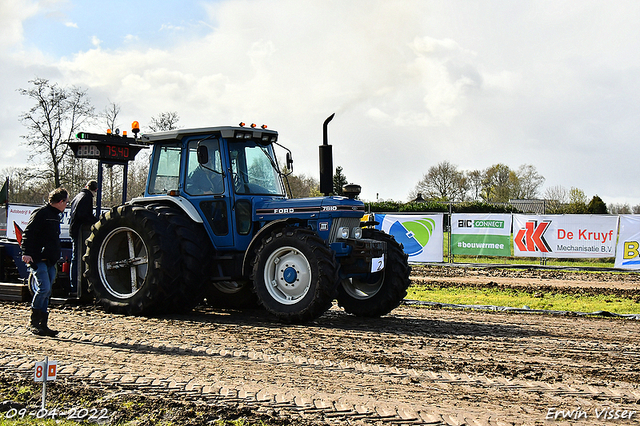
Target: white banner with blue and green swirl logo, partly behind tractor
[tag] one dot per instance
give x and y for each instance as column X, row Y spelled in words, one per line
column 421, row 235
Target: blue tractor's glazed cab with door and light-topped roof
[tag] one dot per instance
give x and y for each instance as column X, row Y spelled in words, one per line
column 220, row 173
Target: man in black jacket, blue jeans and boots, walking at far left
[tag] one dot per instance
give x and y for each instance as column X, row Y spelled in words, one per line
column 41, row 251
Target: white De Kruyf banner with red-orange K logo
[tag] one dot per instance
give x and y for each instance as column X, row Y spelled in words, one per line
column 564, row 236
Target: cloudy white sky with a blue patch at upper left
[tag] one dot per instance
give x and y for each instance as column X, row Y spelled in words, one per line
column 554, row 84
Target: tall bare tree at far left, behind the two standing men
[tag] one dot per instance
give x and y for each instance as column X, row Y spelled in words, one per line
column 57, row 115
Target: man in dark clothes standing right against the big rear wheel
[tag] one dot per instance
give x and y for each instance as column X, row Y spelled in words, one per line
column 82, row 217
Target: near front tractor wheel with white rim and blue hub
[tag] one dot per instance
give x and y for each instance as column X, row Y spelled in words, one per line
column 295, row 275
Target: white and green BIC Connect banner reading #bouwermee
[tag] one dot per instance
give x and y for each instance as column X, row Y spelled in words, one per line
column 481, row 234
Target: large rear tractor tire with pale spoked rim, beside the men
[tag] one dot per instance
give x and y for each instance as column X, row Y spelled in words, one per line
column 132, row 261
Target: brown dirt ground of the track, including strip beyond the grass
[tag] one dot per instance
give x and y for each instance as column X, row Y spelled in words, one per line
column 415, row 366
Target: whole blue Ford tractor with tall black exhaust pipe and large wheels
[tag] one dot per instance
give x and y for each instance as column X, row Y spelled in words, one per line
column 215, row 224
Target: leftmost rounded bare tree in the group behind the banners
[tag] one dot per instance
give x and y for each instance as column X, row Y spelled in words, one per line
column 443, row 182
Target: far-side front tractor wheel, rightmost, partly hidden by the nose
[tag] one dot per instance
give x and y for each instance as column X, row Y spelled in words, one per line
column 380, row 292
